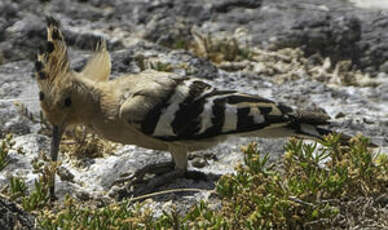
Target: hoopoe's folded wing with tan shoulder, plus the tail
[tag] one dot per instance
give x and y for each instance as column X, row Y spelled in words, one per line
column 189, row 110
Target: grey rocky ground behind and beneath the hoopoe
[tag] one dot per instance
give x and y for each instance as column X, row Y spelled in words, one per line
column 327, row 55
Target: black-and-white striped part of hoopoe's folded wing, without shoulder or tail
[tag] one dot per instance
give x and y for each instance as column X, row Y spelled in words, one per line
column 195, row 110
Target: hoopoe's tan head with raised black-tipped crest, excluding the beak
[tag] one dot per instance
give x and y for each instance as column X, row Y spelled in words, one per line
column 62, row 90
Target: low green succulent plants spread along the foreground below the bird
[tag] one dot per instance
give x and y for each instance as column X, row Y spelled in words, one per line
column 311, row 187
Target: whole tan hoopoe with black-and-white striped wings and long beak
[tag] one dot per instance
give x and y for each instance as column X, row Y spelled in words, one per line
column 155, row 110
